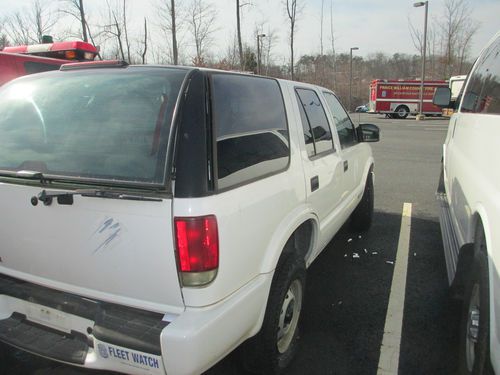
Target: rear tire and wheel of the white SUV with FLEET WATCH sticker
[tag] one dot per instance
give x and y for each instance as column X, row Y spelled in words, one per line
column 266, row 353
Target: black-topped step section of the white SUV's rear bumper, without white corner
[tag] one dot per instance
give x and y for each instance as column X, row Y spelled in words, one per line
column 64, row 326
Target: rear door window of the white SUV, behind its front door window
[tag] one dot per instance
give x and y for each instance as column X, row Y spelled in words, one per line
column 317, row 133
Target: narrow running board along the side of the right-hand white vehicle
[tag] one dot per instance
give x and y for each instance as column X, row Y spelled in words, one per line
column 450, row 241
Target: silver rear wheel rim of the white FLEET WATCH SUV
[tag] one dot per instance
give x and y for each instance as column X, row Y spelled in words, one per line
column 289, row 316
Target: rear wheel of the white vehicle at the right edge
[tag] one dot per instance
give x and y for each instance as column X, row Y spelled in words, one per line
column 474, row 356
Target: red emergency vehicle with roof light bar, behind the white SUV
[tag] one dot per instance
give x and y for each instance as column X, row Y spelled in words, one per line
column 22, row 60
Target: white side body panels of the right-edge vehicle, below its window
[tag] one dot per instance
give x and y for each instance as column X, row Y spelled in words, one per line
column 473, row 188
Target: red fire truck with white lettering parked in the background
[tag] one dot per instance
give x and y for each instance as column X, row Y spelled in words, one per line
column 400, row 98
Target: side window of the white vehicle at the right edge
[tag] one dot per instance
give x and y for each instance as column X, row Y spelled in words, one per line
column 483, row 90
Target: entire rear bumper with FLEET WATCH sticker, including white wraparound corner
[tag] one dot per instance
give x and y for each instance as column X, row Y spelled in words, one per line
column 98, row 335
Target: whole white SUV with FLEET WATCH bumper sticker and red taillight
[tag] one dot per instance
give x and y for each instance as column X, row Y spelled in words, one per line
column 155, row 218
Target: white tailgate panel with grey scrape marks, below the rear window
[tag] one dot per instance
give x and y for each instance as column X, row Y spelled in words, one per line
column 112, row 249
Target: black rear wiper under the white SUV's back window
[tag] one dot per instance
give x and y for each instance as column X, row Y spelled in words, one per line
column 66, row 197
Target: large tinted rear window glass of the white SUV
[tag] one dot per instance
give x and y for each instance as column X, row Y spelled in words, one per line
column 99, row 124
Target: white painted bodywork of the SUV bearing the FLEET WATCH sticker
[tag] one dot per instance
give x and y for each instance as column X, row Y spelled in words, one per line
column 121, row 252
